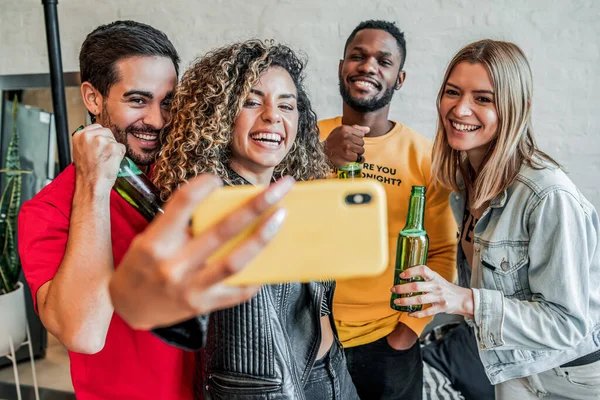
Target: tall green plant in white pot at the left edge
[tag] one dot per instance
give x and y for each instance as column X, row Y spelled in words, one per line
column 13, row 327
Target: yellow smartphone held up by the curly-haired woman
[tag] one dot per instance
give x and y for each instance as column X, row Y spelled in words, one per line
column 334, row 229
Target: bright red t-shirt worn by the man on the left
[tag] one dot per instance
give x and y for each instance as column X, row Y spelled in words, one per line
column 133, row 364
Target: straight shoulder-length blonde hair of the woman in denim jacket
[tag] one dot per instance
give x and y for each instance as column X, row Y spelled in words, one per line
column 513, row 144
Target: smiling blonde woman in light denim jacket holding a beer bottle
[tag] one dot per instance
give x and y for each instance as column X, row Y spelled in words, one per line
column 528, row 254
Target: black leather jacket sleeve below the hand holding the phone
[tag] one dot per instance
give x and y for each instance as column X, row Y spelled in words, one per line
column 188, row 335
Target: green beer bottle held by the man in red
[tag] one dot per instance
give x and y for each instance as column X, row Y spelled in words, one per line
column 135, row 187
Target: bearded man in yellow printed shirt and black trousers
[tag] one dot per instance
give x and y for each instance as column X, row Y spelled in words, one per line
column 382, row 351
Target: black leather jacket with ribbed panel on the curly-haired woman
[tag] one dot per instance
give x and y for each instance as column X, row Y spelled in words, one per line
column 262, row 349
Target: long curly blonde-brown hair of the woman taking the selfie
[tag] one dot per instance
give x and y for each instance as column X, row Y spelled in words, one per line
column 206, row 104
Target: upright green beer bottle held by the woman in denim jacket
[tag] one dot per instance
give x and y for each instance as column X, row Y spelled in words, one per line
column 412, row 246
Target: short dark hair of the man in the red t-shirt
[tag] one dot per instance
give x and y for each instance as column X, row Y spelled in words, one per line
column 110, row 43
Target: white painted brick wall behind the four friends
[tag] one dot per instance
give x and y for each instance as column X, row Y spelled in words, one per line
column 560, row 38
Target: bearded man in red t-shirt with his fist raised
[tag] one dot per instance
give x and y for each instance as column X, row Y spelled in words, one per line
column 73, row 233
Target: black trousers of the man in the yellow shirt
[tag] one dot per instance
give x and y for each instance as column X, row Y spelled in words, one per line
column 381, row 372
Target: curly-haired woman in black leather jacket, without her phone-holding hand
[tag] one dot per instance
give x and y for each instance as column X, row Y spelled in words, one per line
column 242, row 113
